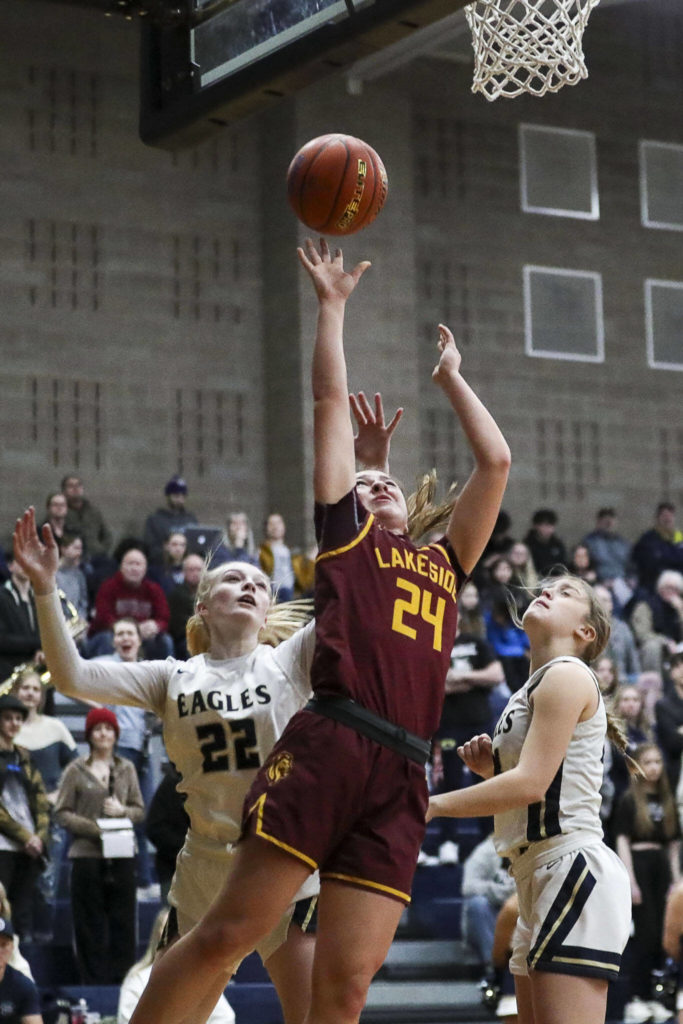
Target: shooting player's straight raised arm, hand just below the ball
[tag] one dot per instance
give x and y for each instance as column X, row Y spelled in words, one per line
column 334, row 467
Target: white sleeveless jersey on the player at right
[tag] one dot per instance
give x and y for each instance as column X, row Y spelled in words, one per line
column 573, row 800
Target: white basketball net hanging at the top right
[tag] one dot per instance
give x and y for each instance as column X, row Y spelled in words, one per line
column 528, row 46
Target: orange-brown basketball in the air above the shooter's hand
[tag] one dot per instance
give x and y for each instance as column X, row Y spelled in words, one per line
column 336, row 185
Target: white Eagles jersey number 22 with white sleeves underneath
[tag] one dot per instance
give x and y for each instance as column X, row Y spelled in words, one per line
column 222, row 719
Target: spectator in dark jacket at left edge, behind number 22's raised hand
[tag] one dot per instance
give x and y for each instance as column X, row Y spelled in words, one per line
column 20, row 639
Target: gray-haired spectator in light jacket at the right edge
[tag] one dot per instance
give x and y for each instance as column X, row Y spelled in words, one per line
column 658, row 621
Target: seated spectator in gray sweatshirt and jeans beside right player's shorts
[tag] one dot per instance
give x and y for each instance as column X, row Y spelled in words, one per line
column 487, row 885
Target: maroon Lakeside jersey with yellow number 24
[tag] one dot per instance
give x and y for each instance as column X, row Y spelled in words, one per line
column 386, row 617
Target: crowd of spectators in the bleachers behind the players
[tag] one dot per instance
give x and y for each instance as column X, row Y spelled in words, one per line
column 134, row 601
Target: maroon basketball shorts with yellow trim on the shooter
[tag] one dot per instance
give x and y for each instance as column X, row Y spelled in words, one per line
column 344, row 804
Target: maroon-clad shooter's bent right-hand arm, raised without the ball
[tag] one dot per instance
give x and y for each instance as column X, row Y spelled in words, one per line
column 478, row 505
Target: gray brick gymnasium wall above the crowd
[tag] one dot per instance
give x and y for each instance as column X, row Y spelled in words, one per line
column 155, row 319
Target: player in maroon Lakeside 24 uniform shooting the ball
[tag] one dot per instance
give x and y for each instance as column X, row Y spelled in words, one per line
column 345, row 789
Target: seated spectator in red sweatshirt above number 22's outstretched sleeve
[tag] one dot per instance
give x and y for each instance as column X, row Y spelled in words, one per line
column 131, row 594
